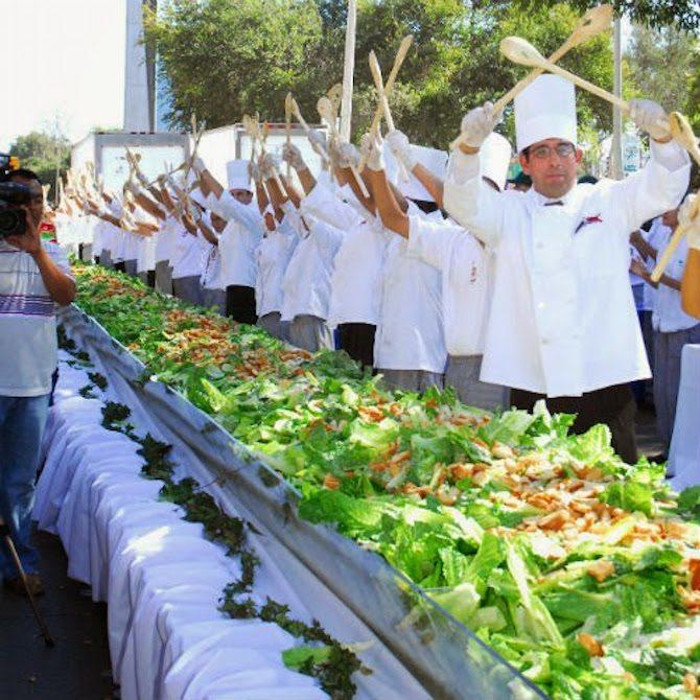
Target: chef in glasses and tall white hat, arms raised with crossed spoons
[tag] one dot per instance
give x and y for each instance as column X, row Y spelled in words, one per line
column 563, row 325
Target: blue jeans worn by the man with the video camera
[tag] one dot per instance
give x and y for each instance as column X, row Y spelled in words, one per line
column 22, row 421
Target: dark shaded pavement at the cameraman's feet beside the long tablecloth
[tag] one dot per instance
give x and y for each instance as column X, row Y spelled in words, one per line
column 78, row 667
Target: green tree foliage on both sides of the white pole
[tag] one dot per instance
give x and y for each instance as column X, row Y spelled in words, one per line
column 225, row 59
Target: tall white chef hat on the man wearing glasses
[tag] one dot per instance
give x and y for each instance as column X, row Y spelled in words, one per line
column 546, row 109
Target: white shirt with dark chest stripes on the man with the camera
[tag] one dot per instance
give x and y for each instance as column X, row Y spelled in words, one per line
column 27, row 322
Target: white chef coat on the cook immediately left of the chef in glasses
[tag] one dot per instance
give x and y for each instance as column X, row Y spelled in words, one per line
column 464, row 264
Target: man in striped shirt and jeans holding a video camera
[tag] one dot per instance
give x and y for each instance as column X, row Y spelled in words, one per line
column 34, row 276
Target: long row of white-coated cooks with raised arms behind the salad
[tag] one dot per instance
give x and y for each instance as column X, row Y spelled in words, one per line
column 445, row 275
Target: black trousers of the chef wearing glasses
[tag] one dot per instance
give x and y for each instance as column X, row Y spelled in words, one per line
column 612, row 405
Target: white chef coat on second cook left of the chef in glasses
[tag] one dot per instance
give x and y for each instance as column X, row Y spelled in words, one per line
column 410, row 332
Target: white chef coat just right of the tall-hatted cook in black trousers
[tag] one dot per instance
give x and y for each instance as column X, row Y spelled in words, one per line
column 274, row 253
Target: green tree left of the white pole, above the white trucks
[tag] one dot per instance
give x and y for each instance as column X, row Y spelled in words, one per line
column 224, row 58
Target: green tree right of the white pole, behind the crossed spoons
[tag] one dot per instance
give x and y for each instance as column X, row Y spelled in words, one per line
column 456, row 64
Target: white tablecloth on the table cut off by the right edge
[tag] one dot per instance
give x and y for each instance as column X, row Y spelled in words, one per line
column 684, row 455
